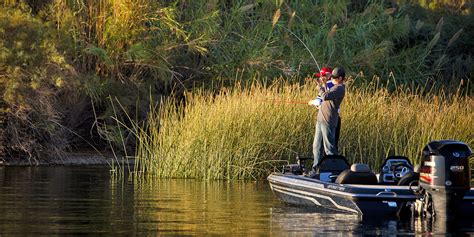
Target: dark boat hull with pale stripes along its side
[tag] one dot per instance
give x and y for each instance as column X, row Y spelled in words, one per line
column 356, row 199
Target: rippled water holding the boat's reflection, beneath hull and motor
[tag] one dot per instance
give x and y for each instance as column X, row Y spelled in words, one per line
column 316, row 222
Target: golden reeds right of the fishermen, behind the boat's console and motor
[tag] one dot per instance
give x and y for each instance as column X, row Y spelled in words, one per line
column 377, row 123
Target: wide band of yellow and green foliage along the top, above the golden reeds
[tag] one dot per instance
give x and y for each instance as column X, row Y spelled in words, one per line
column 179, row 42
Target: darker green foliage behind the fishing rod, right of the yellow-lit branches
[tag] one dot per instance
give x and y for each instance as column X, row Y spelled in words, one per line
column 377, row 40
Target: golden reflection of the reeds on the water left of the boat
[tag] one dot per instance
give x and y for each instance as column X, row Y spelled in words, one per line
column 193, row 207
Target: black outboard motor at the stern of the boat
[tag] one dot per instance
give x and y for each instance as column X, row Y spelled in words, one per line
column 445, row 177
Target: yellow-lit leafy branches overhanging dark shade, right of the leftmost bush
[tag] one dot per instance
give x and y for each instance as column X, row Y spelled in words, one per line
column 127, row 50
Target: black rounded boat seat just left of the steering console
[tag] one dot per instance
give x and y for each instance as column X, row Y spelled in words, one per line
column 357, row 174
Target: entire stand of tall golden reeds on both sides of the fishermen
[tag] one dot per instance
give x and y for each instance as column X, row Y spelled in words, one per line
column 240, row 133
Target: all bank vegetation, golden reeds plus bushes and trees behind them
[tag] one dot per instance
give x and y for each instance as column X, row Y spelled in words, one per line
column 117, row 76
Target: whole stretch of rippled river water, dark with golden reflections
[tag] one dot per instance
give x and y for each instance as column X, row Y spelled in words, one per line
column 78, row 200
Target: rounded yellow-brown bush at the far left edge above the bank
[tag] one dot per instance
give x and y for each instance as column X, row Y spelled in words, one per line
column 33, row 78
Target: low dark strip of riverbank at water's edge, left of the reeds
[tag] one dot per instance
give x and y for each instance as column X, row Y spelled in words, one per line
column 77, row 158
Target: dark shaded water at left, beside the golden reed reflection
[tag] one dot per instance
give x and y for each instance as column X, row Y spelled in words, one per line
column 49, row 200
